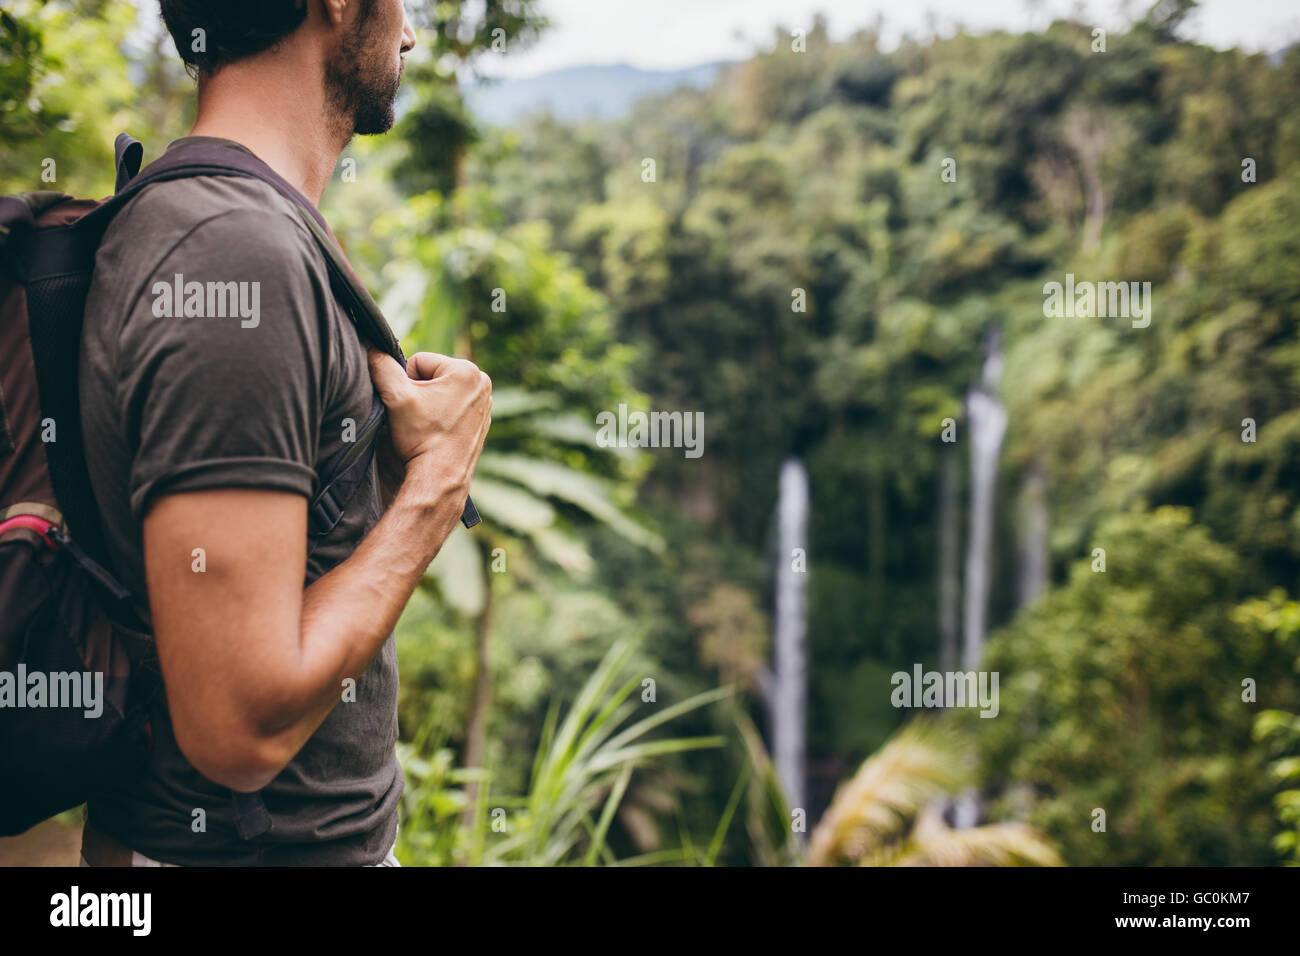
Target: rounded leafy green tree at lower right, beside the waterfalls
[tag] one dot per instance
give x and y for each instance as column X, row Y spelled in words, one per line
column 1124, row 691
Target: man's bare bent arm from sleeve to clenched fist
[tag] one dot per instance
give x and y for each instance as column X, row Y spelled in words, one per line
column 254, row 664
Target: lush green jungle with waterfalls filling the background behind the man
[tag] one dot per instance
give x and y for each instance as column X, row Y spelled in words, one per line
column 837, row 265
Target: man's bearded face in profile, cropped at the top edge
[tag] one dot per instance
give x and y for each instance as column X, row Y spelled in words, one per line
column 365, row 71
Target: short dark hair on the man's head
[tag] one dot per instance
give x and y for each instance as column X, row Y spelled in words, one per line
column 232, row 29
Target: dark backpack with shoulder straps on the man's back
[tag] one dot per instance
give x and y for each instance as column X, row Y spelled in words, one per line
column 67, row 624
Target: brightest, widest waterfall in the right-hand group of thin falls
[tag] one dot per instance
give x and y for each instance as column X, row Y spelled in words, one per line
column 986, row 426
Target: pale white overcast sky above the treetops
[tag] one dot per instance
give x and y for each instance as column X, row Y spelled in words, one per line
column 671, row 34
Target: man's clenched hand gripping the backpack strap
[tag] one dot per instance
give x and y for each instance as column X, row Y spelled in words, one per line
column 440, row 410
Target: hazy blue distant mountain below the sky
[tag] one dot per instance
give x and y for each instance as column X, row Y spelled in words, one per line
column 580, row 92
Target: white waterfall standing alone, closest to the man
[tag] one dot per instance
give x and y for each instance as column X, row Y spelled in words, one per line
column 790, row 680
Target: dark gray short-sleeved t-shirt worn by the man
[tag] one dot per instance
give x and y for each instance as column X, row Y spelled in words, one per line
column 175, row 401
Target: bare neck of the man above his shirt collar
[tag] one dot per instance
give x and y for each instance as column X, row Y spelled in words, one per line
column 292, row 133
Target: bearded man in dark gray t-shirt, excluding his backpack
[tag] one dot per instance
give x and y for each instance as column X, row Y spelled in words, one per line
column 205, row 435
